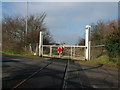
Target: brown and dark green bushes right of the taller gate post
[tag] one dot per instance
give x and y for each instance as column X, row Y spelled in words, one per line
column 108, row 34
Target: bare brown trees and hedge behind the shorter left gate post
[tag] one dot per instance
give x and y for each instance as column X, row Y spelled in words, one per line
column 16, row 38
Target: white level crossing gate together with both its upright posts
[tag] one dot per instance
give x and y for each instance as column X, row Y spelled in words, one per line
column 70, row 51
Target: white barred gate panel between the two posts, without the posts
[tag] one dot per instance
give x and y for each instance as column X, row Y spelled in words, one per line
column 73, row 52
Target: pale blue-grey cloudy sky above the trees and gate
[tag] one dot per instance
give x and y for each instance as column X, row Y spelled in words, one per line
column 66, row 21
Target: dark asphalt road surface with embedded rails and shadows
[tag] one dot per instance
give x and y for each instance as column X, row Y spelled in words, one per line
column 21, row 72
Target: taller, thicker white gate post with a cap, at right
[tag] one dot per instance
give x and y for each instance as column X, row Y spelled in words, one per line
column 87, row 43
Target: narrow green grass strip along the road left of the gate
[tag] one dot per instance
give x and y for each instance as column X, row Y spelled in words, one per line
column 19, row 54
